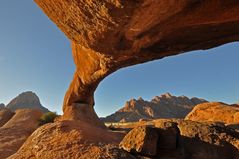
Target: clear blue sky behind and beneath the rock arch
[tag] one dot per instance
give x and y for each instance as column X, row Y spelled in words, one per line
column 35, row 55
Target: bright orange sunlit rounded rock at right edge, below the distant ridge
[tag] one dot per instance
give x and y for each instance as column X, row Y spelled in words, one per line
column 215, row 112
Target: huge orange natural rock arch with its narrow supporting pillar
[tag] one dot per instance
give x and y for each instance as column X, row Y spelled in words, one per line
column 107, row 35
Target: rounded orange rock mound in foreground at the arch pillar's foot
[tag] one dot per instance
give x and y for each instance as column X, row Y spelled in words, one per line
column 72, row 139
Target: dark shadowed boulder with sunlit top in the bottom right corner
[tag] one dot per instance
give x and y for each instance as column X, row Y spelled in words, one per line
column 210, row 140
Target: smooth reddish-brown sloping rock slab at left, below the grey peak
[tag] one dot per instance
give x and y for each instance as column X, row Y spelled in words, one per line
column 15, row 132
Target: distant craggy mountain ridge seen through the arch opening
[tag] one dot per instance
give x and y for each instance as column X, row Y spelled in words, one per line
column 164, row 106
